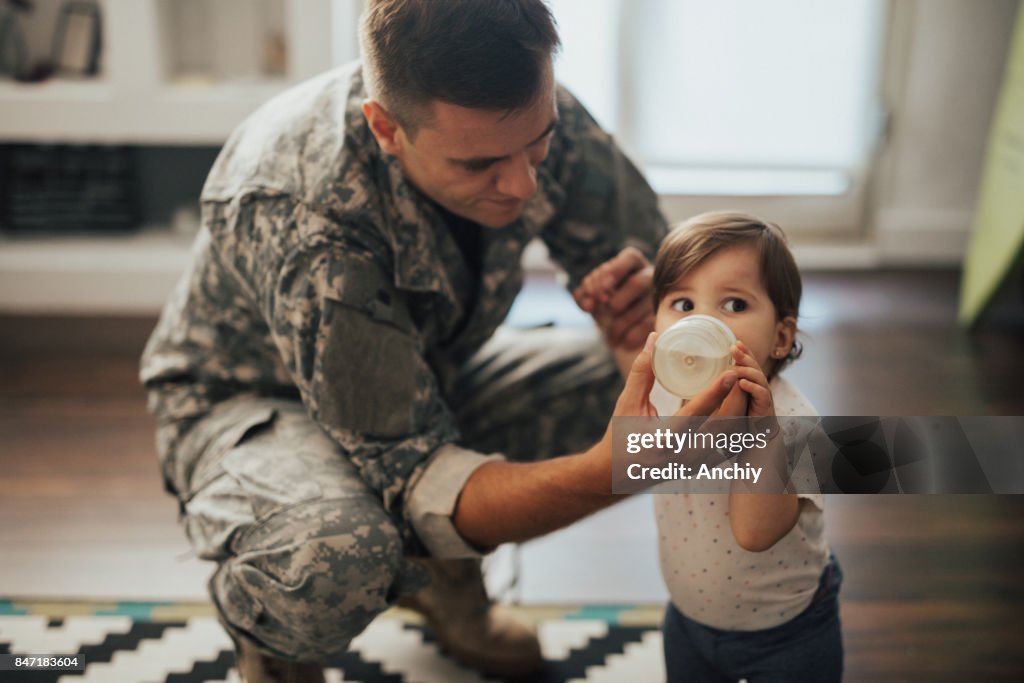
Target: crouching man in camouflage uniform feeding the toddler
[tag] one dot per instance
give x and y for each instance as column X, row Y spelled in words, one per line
column 330, row 377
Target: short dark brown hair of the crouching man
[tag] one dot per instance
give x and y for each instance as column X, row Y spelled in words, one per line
column 489, row 55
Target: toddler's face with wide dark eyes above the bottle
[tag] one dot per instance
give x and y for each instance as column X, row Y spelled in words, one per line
column 728, row 285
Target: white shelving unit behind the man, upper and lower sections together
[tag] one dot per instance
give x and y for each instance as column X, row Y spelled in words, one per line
column 138, row 100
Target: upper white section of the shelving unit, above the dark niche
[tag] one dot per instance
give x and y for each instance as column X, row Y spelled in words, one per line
column 137, row 102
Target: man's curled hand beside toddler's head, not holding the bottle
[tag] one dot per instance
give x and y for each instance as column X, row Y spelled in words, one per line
column 618, row 295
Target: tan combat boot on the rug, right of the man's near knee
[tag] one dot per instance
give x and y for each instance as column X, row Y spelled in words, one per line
column 475, row 631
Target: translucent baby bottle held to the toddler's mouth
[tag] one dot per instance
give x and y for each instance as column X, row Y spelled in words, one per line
column 692, row 354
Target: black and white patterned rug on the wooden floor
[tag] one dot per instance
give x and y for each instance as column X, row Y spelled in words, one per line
column 143, row 643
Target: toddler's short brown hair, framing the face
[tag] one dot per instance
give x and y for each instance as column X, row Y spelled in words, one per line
column 693, row 242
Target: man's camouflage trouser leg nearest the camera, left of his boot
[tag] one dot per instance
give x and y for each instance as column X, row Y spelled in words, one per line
column 308, row 556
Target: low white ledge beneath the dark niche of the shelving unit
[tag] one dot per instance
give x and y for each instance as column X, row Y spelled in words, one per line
column 133, row 274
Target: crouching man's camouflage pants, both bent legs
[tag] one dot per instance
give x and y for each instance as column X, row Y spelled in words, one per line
column 307, row 554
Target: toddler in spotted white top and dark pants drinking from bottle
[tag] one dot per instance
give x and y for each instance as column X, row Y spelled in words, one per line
column 753, row 585
